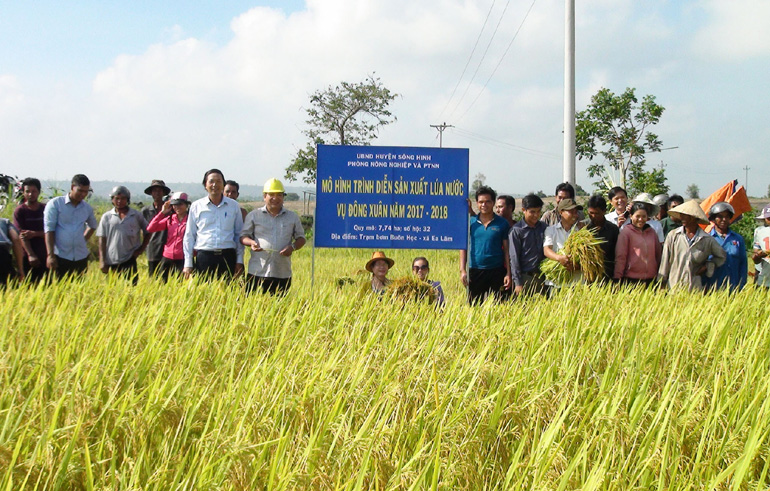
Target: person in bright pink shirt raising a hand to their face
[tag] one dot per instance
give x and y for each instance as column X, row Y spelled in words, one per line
column 173, row 217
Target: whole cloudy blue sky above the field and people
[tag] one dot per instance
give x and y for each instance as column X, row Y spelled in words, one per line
column 139, row 90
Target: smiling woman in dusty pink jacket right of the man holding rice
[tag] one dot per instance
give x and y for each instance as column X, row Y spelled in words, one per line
column 638, row 251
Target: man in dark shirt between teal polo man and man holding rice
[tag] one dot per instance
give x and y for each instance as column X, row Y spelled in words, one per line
column 526, row 248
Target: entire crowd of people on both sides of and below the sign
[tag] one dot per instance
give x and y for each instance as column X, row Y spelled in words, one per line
column 653, row 241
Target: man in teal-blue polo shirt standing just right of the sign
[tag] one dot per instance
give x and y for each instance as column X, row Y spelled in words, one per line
column 488, row 270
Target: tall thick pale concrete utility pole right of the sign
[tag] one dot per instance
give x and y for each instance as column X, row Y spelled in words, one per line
column 569, row 91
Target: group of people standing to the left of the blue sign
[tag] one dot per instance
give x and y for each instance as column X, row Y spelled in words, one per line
column 207, row 236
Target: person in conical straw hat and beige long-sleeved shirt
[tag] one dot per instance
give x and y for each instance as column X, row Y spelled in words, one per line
column 689, row 253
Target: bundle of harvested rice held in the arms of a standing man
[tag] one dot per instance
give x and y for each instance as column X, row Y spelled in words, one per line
column 585, row 250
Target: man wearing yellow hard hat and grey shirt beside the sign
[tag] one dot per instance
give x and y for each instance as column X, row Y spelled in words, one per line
column 272, row 233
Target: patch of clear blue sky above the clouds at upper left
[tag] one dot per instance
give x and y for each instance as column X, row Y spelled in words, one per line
column 75, row 40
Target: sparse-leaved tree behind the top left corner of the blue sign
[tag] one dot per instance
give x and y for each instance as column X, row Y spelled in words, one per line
column 346, row 114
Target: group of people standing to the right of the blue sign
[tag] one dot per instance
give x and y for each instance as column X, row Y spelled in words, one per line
column 654, row 241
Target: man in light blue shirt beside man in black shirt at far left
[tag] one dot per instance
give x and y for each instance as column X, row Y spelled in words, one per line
column 68, row 223
